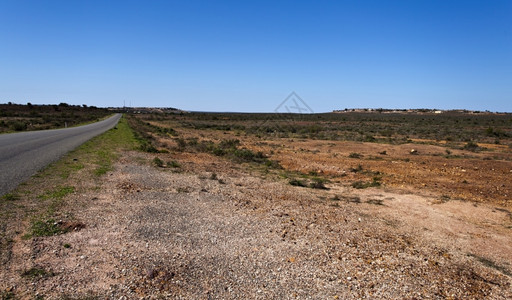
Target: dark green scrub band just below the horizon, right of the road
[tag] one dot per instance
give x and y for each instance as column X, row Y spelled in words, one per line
column 390, row 128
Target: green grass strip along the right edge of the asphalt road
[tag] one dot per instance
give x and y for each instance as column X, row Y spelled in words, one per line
column 91, row 160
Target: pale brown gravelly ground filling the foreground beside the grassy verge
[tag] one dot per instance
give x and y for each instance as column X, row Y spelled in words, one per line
column 156, row 233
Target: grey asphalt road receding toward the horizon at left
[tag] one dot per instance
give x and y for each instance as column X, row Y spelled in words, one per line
column 23, row 154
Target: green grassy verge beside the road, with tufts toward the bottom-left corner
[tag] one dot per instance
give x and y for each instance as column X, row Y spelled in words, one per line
column 36, row 208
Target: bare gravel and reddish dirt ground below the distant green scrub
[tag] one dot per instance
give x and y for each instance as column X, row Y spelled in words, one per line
column 438, row 226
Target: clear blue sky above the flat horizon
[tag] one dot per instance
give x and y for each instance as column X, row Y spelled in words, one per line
column 248, row 56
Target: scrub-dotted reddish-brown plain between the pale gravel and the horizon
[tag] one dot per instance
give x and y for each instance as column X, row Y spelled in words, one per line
column 456, row 155
